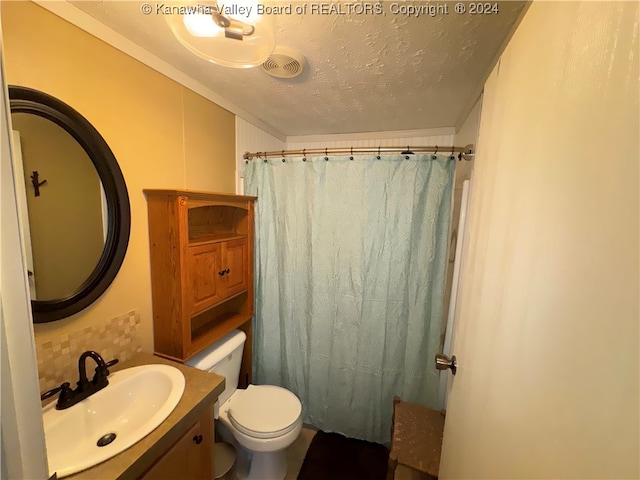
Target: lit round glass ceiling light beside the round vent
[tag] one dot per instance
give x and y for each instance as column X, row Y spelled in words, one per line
column 230, row 33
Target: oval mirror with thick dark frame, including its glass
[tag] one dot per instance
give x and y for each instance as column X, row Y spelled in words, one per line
column 73, row 202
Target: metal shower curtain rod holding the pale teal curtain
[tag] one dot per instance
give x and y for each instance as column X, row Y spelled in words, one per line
column 464, row 153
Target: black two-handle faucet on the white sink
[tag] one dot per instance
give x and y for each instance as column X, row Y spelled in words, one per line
column 69, row 397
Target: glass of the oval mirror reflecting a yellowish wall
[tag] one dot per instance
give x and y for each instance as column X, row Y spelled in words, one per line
column 62, row 204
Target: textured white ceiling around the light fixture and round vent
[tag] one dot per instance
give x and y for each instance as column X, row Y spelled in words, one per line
column 364, row 72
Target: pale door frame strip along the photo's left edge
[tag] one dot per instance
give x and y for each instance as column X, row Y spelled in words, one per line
column 23, row 453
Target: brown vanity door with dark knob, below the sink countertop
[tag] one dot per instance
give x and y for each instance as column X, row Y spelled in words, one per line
column 188, row 459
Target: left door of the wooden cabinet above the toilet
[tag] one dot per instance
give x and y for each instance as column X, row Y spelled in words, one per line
column 205, row 279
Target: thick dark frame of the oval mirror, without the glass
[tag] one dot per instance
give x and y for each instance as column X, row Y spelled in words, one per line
column 27, row 100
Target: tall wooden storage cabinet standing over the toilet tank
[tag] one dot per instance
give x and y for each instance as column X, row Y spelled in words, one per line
column 201, row 249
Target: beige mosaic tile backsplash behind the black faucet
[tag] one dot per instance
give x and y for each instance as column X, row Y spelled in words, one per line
column 58, row 359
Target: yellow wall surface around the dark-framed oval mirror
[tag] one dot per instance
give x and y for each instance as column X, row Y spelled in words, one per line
column 162, row 134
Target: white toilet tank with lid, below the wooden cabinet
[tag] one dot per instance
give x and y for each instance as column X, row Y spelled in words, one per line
column 223, row 358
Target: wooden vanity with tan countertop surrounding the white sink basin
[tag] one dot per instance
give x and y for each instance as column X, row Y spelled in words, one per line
column 181, row 447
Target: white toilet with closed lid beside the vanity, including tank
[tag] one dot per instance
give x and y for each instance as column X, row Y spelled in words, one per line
column 263, row 419
